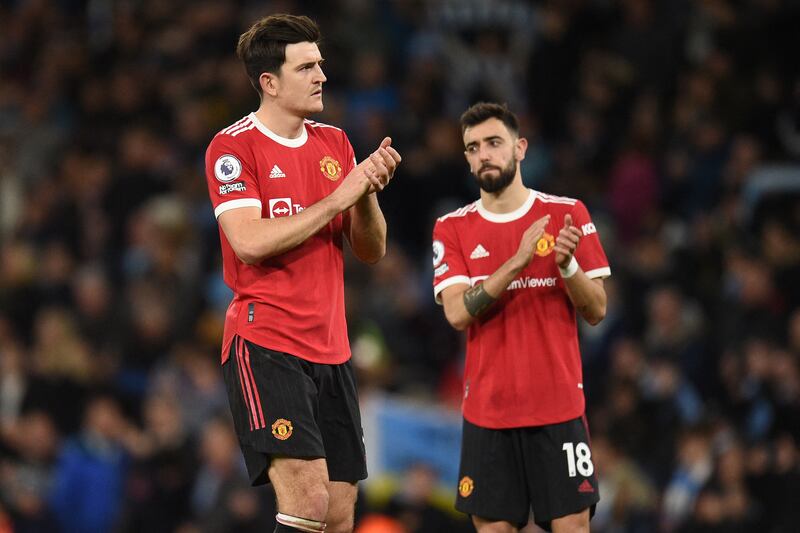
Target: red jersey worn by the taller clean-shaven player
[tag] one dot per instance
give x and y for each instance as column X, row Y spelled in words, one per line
column 293, row 302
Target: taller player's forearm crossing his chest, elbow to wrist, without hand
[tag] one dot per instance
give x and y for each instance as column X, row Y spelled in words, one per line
column 263, row 238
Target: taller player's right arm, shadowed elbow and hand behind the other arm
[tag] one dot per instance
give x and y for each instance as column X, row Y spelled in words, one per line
column 367, row 231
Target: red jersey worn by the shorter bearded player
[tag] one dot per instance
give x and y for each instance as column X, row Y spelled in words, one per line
column 523, row 365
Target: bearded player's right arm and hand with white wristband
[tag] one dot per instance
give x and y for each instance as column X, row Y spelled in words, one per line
column 587, row 295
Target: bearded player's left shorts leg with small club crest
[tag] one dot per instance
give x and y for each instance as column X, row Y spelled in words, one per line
column 492, row 484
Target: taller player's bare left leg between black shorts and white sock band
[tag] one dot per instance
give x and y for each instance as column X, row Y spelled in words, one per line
column 301, row 486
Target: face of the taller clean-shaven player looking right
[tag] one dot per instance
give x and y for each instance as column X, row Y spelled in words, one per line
column 299, row 86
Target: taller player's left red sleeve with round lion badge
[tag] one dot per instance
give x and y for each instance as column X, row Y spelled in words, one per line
column 230, row 175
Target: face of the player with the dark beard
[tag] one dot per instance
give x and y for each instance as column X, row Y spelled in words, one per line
column 493, row 154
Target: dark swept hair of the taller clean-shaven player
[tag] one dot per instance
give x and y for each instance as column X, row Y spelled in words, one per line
column 262, row 48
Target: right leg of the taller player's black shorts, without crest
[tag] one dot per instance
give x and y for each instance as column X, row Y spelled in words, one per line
column 339, row 422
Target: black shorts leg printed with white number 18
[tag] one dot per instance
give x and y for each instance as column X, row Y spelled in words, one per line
column 560, row 471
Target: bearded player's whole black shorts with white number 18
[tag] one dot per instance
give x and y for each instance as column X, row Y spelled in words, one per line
column 506, row 473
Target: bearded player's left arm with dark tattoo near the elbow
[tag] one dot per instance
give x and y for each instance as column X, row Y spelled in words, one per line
column 463, row 304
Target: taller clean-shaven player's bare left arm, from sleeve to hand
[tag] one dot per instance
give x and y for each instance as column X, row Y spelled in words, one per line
column 254, row 239
